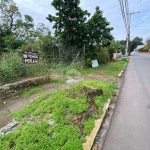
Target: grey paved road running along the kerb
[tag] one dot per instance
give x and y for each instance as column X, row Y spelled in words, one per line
column 130, row 126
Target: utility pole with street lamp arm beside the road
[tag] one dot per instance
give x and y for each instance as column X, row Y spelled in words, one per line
column 128, row 32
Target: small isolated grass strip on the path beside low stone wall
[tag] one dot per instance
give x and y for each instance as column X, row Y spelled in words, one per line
column 31, row 92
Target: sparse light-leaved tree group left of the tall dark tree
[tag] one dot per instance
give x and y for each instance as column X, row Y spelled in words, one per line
column 15, row 31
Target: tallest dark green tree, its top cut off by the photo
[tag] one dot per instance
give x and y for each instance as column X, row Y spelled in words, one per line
column 69, row 22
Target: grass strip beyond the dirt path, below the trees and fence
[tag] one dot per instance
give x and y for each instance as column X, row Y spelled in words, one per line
column 111, row 69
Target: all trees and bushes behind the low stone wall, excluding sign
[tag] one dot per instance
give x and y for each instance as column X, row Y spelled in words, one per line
column 69, row 45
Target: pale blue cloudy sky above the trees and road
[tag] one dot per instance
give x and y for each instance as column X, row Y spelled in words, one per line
column 140, row 22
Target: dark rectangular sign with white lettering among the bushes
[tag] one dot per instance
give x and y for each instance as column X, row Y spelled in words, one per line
column 30, row 57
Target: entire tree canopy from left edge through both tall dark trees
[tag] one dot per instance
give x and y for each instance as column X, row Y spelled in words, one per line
column 75, row 30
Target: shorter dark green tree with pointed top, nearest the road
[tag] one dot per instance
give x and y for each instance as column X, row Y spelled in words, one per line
column 98, row 29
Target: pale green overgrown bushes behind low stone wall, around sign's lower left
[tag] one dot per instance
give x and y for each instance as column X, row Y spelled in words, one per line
column 12, row 68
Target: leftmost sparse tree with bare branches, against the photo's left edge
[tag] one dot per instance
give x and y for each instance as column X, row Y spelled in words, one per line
column 9, row 18
